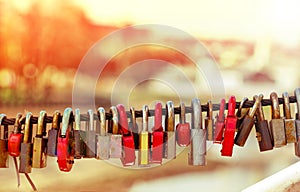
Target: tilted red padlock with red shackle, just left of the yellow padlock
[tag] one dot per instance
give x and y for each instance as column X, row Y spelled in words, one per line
column 128, row 155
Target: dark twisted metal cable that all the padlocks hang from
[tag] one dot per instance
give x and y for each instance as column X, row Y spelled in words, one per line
column 138, row 113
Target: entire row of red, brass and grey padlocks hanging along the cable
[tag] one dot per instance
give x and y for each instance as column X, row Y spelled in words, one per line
column 117, row 137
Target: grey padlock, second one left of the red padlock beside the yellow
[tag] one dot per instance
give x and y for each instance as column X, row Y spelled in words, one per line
column 103, row 141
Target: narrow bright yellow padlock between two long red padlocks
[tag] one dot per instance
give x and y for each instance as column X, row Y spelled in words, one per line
column 143, row 158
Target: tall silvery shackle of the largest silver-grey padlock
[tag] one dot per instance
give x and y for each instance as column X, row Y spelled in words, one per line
column 196, row 121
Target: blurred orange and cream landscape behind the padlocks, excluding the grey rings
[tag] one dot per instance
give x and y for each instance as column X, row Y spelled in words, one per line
column 256, row 45
